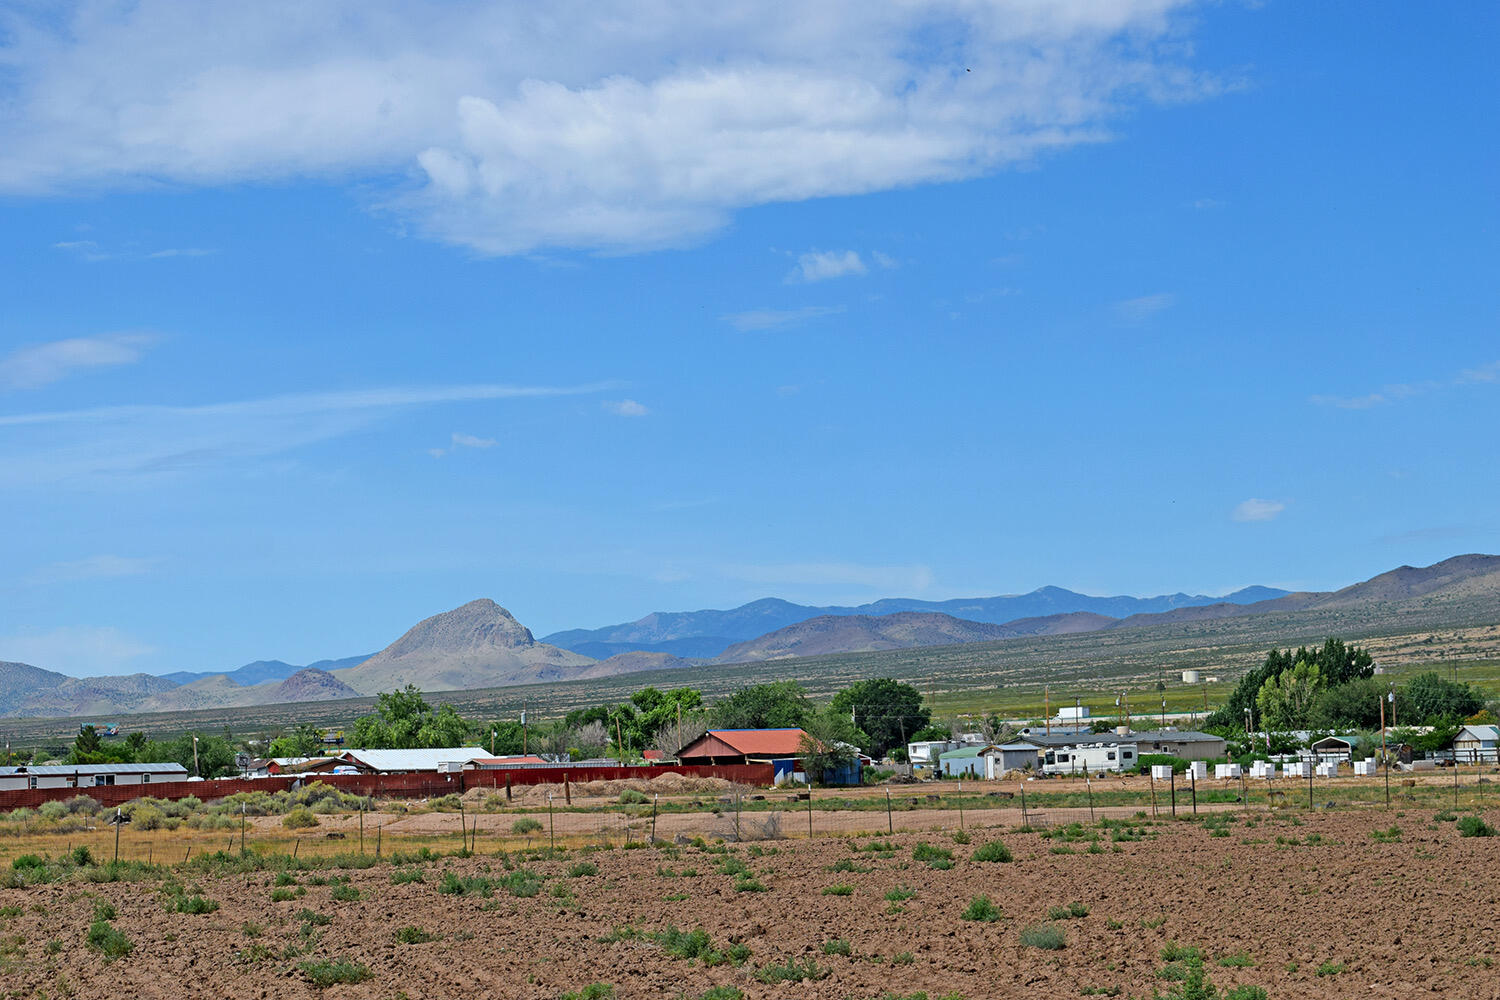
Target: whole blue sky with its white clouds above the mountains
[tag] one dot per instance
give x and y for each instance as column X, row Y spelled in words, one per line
column 323, row 320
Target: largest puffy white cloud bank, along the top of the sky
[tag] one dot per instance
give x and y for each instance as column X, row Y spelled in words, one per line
column 601, row 125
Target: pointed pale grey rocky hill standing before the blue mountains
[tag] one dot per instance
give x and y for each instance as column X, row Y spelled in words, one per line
column 472, row 647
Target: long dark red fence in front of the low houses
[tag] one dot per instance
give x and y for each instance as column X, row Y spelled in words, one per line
column 416, row 785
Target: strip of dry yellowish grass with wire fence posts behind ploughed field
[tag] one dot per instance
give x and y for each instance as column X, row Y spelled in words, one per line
column 490, row 822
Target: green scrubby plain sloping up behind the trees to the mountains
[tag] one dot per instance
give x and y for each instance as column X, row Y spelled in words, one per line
column 1004, row 678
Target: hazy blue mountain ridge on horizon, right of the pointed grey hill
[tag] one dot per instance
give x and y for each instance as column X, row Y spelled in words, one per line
column 710, row 633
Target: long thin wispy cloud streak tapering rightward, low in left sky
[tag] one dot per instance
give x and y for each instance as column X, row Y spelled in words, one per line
column 112, row 445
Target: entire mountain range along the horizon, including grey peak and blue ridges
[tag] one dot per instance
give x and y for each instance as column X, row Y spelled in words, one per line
column 481, row 645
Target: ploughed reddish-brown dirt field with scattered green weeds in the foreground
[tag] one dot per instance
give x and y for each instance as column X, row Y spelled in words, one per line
column 1309, row 905
